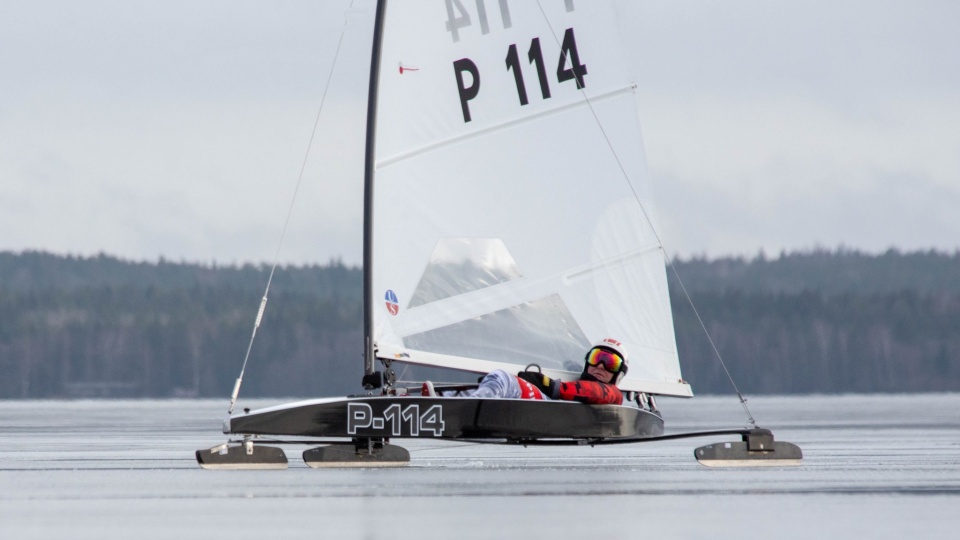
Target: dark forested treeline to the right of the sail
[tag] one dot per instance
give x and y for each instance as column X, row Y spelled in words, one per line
column 822, row 322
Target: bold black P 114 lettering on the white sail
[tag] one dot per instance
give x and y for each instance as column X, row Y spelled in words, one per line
column 569, row 68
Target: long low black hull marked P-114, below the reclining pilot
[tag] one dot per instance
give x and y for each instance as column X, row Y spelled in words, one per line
column 446, row 418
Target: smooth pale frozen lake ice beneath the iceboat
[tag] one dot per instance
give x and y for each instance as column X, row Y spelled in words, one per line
column 875, row 467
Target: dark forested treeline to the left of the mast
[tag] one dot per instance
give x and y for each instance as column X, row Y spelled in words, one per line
column 100, row 326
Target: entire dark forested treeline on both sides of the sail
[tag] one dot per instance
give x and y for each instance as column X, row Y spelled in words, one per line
column 823, row 321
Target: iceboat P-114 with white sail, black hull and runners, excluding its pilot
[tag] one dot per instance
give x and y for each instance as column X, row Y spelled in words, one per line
column 508, row 222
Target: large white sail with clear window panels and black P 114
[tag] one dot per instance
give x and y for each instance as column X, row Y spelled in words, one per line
column 512, row 222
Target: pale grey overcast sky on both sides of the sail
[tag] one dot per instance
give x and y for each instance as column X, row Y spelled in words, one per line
column 178, row 128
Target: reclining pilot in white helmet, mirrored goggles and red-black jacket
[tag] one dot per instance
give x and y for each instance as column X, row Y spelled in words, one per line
column 604, row 366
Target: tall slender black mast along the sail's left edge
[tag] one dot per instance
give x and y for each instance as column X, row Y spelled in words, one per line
column 370, row 380
